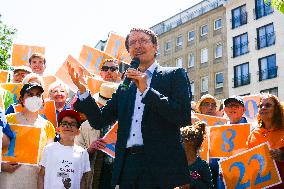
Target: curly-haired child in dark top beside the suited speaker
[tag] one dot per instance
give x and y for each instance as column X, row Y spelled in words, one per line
column 199, row 171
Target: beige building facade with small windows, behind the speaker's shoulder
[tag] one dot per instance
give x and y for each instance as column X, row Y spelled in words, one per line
column 195, row 39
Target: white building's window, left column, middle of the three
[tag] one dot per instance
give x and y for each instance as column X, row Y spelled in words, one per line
column 240, row 45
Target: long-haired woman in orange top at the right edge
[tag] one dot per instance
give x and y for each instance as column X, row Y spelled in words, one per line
column 270, row 129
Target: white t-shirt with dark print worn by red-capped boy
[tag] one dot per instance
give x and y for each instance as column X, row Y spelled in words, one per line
column 64, row 165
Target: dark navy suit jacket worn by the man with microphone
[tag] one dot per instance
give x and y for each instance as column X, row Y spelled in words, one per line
column 167, row 108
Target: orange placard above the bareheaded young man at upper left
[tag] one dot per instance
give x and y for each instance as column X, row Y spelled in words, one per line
column 22, row 53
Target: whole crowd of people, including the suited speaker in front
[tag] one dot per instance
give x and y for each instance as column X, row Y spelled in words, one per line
column 158, row 136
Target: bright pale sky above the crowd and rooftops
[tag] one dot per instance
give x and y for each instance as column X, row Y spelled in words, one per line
column 64, row 26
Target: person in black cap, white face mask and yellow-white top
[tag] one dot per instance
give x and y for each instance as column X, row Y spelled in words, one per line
column 25, row 176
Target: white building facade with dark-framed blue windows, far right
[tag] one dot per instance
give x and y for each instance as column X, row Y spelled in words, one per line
column 255, row 42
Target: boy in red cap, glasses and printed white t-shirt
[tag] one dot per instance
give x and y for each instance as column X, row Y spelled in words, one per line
column 64, row 164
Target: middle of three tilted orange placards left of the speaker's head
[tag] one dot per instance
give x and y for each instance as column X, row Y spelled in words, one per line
column 92, row 59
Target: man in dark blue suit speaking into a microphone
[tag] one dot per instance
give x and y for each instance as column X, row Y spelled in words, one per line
column 149, row 152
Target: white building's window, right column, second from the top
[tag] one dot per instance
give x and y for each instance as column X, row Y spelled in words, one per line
column 265, row 36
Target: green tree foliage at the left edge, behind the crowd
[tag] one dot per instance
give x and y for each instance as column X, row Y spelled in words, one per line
column 7, row 35
